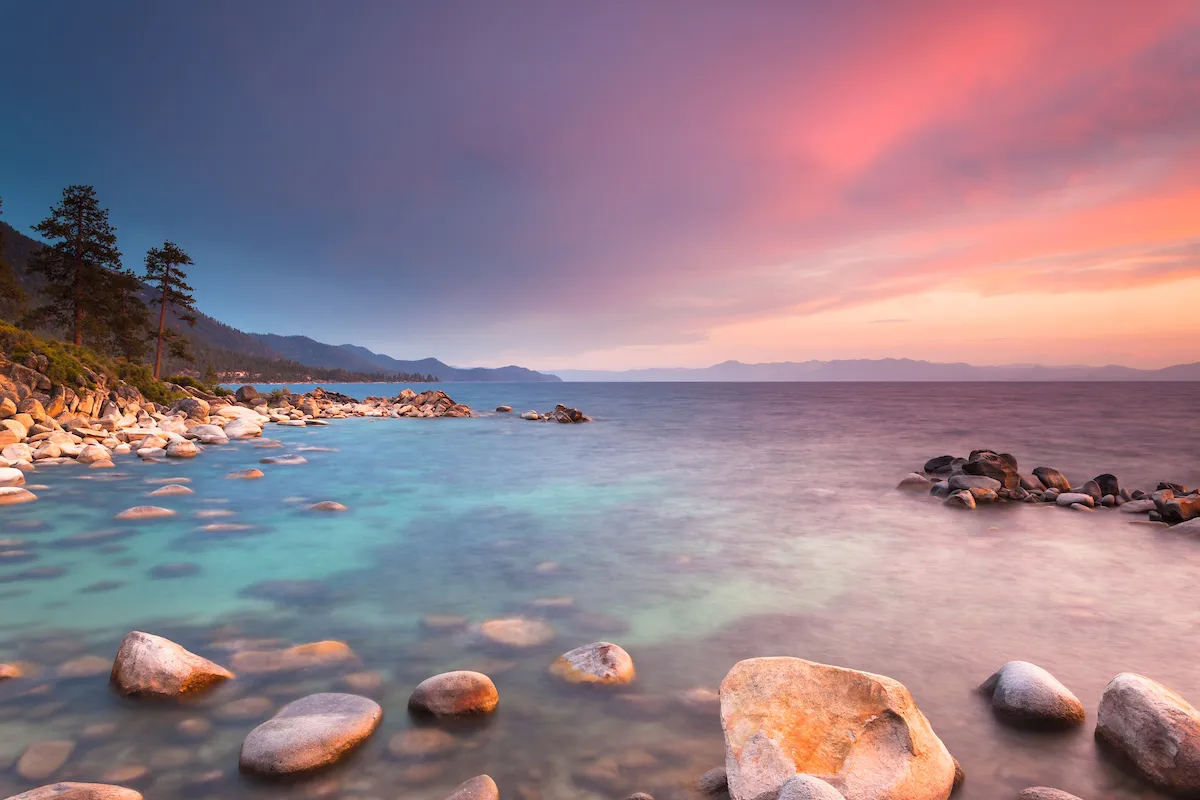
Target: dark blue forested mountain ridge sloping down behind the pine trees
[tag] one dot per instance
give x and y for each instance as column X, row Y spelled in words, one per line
column 277, row 358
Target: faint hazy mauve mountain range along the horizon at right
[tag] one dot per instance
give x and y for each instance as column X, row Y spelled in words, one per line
column 880, row 370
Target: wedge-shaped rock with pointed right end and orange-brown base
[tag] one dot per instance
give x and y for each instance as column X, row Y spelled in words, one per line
column 152, row 666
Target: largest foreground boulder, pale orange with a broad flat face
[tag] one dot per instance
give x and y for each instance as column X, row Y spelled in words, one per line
column 859, row 732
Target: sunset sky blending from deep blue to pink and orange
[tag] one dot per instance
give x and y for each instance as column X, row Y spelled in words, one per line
column 629, row 184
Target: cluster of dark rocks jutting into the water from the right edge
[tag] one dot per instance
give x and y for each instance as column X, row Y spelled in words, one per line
column 988, row 478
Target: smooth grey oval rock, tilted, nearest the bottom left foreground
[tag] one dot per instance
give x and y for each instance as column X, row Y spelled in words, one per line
column 310, row 733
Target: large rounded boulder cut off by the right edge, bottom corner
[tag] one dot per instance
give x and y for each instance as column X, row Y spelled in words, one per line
column 1156, row 730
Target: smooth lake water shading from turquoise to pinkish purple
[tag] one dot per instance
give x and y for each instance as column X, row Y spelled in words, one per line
column 694, row 525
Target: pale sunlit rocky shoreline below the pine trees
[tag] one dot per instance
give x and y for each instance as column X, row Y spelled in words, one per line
column 44, row 424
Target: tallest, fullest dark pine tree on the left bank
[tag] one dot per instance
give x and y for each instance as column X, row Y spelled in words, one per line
column 79, row 264
